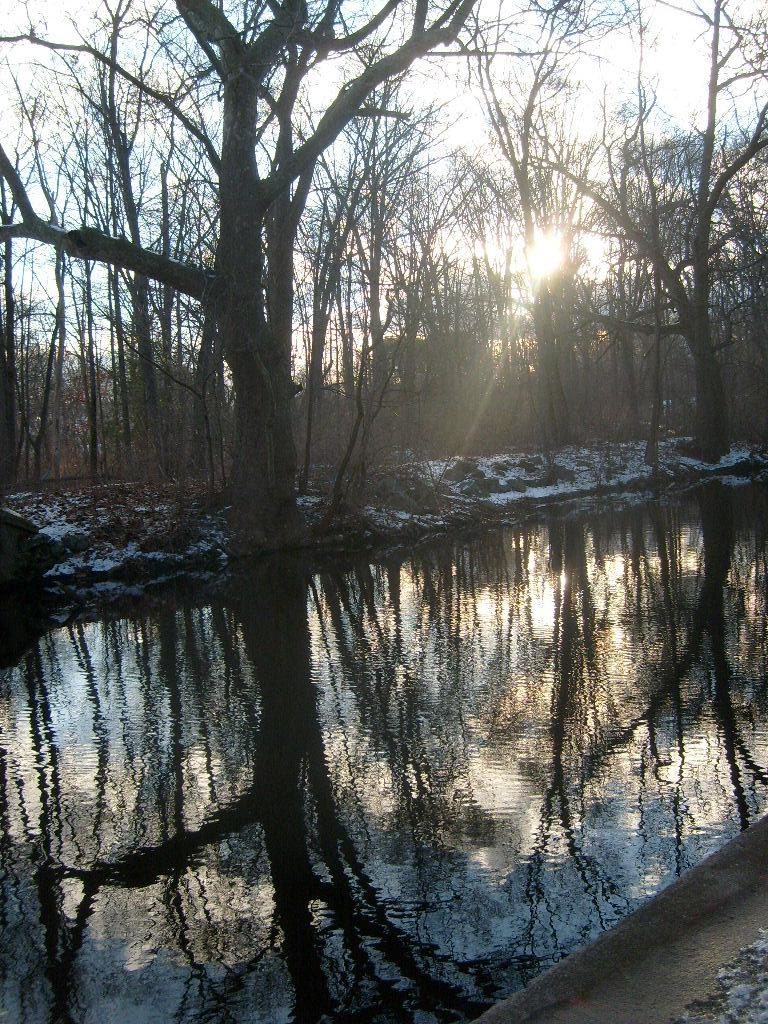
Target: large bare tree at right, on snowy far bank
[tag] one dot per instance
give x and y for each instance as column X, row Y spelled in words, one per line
column 676, row 226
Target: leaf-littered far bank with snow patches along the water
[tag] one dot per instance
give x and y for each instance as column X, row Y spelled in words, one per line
column 110, row 541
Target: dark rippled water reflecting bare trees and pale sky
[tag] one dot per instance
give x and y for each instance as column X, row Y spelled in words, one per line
column 389, row 794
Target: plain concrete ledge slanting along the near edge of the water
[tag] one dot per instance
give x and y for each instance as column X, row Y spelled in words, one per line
column 661, row 959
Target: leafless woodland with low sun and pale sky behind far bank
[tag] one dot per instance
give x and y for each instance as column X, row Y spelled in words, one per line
column 282, row 247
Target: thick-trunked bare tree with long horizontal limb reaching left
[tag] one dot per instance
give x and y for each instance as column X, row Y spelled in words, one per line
column 264, row 166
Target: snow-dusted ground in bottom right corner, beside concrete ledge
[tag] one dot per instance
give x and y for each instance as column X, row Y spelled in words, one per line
column 743, row 996
